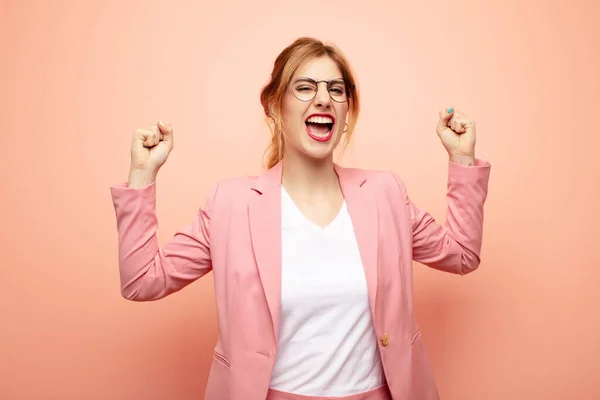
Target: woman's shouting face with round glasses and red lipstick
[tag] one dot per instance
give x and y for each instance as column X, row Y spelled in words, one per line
column 313, row 126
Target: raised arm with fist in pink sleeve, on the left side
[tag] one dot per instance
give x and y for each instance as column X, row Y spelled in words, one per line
column 147, row 271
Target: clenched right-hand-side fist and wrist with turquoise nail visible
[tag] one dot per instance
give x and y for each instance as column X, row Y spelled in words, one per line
column 457, row 133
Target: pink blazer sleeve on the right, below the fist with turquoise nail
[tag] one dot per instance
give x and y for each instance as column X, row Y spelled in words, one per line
column 455, row 246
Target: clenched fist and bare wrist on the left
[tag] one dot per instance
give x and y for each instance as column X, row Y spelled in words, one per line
column 150, row 148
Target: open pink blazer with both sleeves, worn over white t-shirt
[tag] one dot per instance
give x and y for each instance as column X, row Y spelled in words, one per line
column 237, row 236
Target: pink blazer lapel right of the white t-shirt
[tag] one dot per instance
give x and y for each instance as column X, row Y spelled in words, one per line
column 363, row 212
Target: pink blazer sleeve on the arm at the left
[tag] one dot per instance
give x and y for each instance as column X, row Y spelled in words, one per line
column 147, row 271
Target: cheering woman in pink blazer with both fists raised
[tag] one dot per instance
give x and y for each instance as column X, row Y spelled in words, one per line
column 312, row 262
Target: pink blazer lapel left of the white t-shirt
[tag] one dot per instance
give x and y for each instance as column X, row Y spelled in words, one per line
column 265, row 228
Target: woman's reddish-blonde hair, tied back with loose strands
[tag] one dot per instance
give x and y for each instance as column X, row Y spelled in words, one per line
column 286, row 64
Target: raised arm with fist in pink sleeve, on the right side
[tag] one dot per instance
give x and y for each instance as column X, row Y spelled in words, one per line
column 456, row 246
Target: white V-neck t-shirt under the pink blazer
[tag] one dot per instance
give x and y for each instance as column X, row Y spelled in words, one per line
column 327, row 343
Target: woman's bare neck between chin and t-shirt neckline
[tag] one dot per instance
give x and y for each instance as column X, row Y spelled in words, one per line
column 309, row 177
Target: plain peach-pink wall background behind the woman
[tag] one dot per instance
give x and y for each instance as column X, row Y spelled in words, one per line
column 77, row 77
